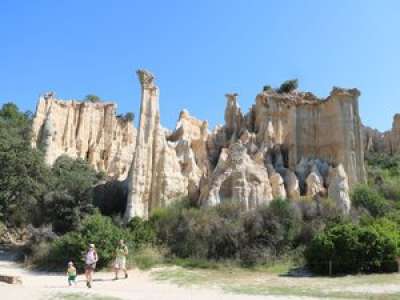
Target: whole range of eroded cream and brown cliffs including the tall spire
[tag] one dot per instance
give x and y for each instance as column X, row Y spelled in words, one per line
column 288, row 145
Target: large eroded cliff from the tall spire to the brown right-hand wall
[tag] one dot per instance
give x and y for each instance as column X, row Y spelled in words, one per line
column 287, row 145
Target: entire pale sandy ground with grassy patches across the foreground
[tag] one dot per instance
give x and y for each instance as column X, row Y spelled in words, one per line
column 174, row 283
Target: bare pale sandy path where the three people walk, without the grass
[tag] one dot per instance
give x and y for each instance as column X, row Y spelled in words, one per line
column 139, row 286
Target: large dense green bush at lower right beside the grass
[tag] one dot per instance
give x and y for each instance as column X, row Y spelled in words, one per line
column 353, row 248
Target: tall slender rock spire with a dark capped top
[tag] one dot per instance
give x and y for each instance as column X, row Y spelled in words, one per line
column 142, row 175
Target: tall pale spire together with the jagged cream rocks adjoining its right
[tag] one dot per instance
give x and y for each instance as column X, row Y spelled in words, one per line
column 166, row 166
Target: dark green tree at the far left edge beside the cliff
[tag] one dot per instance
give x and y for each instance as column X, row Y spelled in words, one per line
column 23, row 174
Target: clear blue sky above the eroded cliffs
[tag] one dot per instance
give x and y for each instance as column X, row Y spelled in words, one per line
column 200, row 50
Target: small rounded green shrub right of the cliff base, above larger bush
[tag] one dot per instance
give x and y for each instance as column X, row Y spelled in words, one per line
column 370, row 199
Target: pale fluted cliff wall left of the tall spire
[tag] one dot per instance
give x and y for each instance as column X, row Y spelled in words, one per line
column 86, row 130
